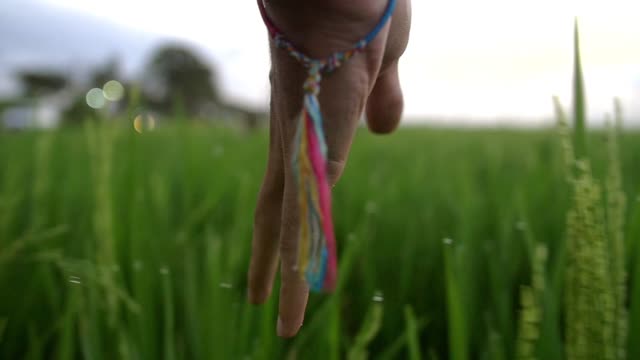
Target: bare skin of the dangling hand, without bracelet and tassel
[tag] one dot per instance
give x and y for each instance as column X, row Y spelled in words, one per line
column 366, row 83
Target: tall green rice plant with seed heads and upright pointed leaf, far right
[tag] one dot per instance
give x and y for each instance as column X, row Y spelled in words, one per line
column 595, row 283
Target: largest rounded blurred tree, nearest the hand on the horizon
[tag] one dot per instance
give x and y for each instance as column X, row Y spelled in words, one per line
column 176, row 77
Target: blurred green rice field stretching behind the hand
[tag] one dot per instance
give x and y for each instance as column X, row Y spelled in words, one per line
column 124, row 245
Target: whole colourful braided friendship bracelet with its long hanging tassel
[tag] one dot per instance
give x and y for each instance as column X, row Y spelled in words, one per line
column 317, row 262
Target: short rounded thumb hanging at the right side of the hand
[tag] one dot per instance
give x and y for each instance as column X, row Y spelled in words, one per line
column 385, row 103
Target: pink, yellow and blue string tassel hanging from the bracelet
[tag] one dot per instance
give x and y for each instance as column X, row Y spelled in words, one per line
column 317, row 250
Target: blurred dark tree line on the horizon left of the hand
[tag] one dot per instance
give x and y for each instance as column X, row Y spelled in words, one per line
column 175, row 83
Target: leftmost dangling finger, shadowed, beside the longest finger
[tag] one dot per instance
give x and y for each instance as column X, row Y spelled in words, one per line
column 266, row 229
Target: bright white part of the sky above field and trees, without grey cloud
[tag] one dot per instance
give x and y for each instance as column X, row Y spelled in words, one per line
column 489, row 62
